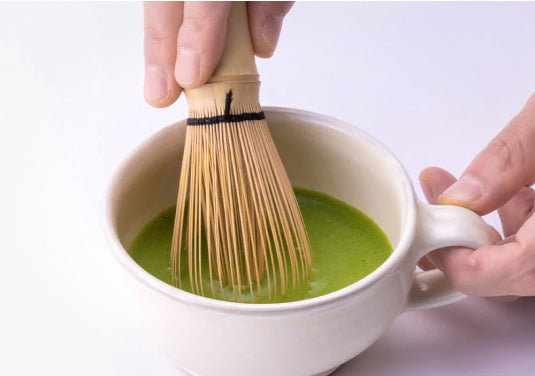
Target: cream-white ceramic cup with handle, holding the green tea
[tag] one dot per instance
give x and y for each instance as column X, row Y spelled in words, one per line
column 207, row 337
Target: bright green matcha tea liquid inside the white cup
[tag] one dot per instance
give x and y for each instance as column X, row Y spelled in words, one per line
column 346, row 246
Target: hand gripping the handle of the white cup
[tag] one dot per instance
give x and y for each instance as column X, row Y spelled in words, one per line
column 500, row 177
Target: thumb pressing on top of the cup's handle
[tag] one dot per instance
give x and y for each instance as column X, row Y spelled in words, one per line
column 501, row 169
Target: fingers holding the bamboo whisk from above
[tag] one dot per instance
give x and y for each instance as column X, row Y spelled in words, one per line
column 184, row 42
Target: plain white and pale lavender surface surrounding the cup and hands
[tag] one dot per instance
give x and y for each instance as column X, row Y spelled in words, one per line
column 434, row 82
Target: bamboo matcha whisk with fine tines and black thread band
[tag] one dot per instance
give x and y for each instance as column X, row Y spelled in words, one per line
column 237, row 218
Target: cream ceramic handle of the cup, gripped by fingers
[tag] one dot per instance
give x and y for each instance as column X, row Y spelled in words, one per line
column 443, row 226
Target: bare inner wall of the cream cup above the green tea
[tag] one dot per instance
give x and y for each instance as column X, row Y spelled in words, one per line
column 319, row 153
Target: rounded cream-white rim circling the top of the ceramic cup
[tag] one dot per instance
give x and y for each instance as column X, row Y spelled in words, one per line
column 317, row 303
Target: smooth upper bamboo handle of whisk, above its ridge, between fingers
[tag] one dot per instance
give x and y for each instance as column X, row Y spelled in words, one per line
column 237, row 62
